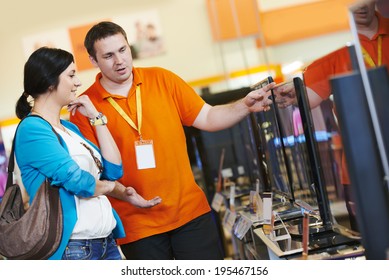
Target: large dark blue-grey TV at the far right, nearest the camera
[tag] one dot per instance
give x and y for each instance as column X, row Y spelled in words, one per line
column 365, row 164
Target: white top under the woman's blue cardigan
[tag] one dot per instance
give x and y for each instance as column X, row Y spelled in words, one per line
column 95, row 217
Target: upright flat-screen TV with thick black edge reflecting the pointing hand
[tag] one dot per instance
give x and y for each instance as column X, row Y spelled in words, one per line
column 305, row 147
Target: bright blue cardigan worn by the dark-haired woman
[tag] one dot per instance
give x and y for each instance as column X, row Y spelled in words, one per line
column 39, row 154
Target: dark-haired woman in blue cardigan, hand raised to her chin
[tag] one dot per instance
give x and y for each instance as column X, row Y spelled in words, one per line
column 85, row 173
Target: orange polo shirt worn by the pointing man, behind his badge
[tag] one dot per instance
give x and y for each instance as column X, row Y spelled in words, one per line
column 168, row 103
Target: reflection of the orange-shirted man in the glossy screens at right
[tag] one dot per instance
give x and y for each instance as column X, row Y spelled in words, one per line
column 373, row 33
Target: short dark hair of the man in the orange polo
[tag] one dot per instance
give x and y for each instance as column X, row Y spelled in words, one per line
column 100, row 31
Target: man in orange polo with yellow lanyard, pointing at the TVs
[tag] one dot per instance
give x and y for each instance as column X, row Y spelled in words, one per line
column 146, row 109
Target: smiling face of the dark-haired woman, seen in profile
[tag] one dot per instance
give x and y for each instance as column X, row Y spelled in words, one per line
column 68, row 85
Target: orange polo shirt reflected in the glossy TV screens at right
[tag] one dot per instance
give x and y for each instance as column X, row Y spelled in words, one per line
column 317, row 74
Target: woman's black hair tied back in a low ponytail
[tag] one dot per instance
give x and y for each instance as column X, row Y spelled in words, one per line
column 41, row 71
